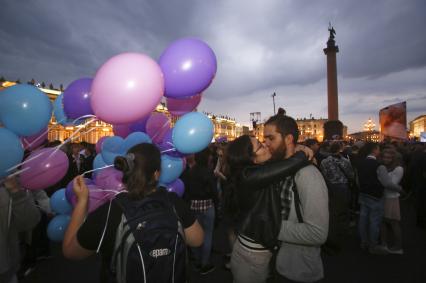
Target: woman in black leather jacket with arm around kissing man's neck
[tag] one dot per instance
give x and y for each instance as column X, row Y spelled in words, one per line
column 255, row 196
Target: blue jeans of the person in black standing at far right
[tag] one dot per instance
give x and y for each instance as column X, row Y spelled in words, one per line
column 370, row 219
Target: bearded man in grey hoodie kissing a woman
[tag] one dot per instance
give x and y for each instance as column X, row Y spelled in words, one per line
column 302, row 231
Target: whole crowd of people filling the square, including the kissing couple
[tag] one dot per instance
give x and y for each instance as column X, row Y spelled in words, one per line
column 283, row 204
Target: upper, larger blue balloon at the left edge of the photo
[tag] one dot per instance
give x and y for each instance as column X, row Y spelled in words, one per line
column 24, row 109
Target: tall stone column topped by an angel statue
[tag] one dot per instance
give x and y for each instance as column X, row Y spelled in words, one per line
column 333, row 126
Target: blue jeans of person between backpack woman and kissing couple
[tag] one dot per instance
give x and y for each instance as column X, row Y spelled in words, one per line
column 206, row 220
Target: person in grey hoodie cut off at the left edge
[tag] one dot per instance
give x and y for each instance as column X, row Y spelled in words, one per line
column 18, row 213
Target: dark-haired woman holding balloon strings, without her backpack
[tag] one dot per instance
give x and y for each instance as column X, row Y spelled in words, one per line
column 141, row 171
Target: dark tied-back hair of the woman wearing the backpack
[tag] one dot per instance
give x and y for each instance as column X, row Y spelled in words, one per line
column 138, row 167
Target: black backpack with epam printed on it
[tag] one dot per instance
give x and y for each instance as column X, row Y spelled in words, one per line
column 150, row 244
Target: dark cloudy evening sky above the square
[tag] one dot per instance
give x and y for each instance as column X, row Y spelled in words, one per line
column 262, row 46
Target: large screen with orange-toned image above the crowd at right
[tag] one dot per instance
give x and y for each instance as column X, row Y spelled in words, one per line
column 393, row 121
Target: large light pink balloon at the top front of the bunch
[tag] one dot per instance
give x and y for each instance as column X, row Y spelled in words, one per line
column 126, row 88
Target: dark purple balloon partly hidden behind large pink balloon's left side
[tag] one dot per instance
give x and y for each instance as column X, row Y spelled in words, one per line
column 77, row 98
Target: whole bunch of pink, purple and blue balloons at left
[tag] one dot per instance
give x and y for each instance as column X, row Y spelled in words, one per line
column 124, row 92
